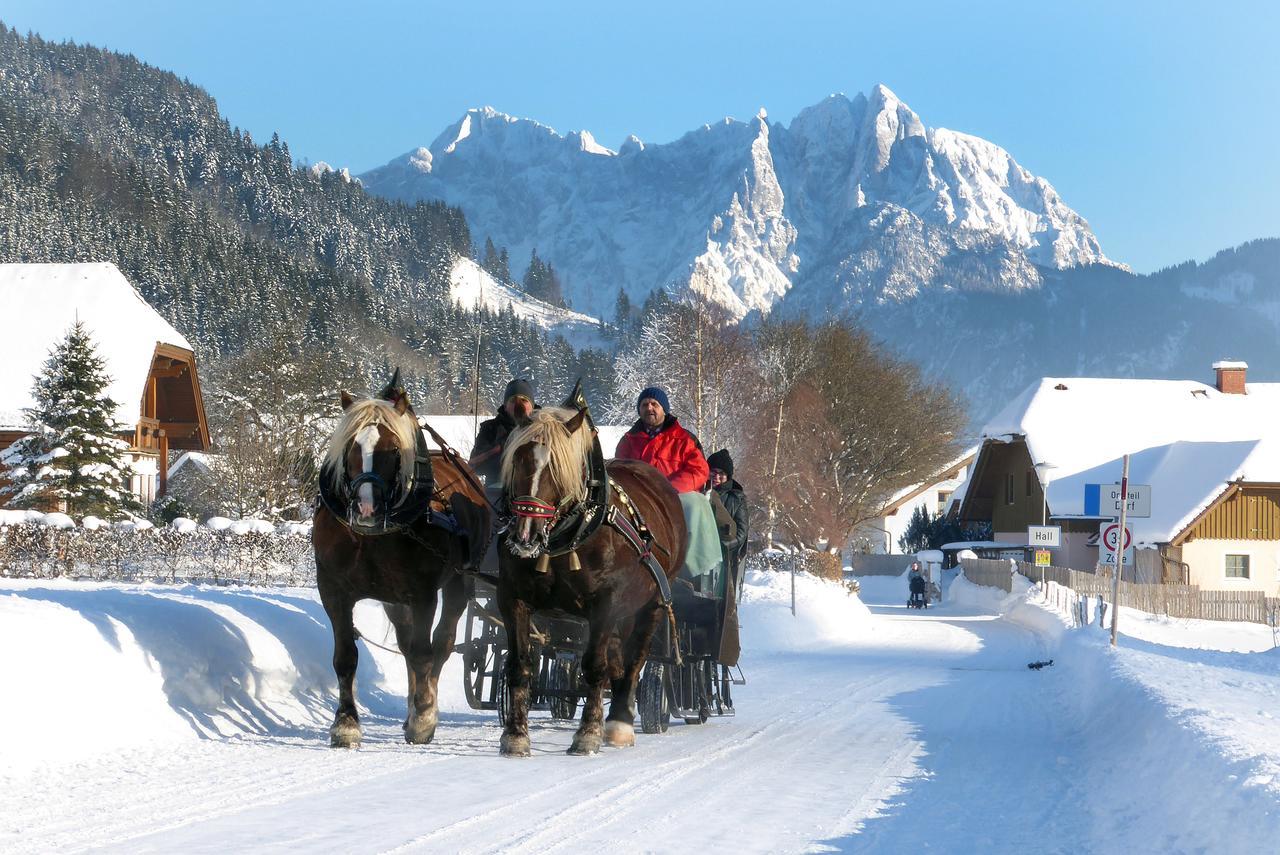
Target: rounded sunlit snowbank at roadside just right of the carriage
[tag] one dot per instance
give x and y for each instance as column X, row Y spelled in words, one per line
column 828, row 615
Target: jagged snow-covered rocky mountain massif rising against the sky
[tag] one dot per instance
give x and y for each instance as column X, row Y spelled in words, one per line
column 857, row 200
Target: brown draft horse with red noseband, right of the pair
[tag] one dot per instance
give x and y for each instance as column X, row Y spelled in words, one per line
column 545, row 469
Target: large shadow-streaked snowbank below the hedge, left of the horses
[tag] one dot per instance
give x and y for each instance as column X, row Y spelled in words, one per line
column 173, row 665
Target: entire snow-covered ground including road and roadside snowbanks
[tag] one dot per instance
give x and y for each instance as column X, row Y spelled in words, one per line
column 147, row 719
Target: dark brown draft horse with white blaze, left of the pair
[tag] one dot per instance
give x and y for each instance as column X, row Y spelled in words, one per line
column 408, row 570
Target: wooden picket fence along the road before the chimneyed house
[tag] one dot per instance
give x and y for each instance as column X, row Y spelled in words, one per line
column 1174, row 601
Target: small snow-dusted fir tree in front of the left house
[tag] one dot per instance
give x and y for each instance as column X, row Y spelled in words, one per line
column 74, row 455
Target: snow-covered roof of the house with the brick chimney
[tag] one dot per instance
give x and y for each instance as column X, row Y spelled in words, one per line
column 1186, row 440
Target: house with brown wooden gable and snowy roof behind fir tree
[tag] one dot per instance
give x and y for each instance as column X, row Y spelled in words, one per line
column 152, row 365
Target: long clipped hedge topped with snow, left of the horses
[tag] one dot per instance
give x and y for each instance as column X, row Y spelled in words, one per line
column 252, row 552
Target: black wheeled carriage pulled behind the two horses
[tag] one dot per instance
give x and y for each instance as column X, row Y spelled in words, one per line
column 693, row 687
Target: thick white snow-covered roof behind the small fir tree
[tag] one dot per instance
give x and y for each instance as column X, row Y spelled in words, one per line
column 43, row 301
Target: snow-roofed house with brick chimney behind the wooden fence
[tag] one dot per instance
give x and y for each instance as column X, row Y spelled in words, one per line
column 1209, row 454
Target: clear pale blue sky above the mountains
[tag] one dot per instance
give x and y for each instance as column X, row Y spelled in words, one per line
column 1159, row 122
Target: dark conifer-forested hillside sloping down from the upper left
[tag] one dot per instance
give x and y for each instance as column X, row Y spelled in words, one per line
column 104, row 158
